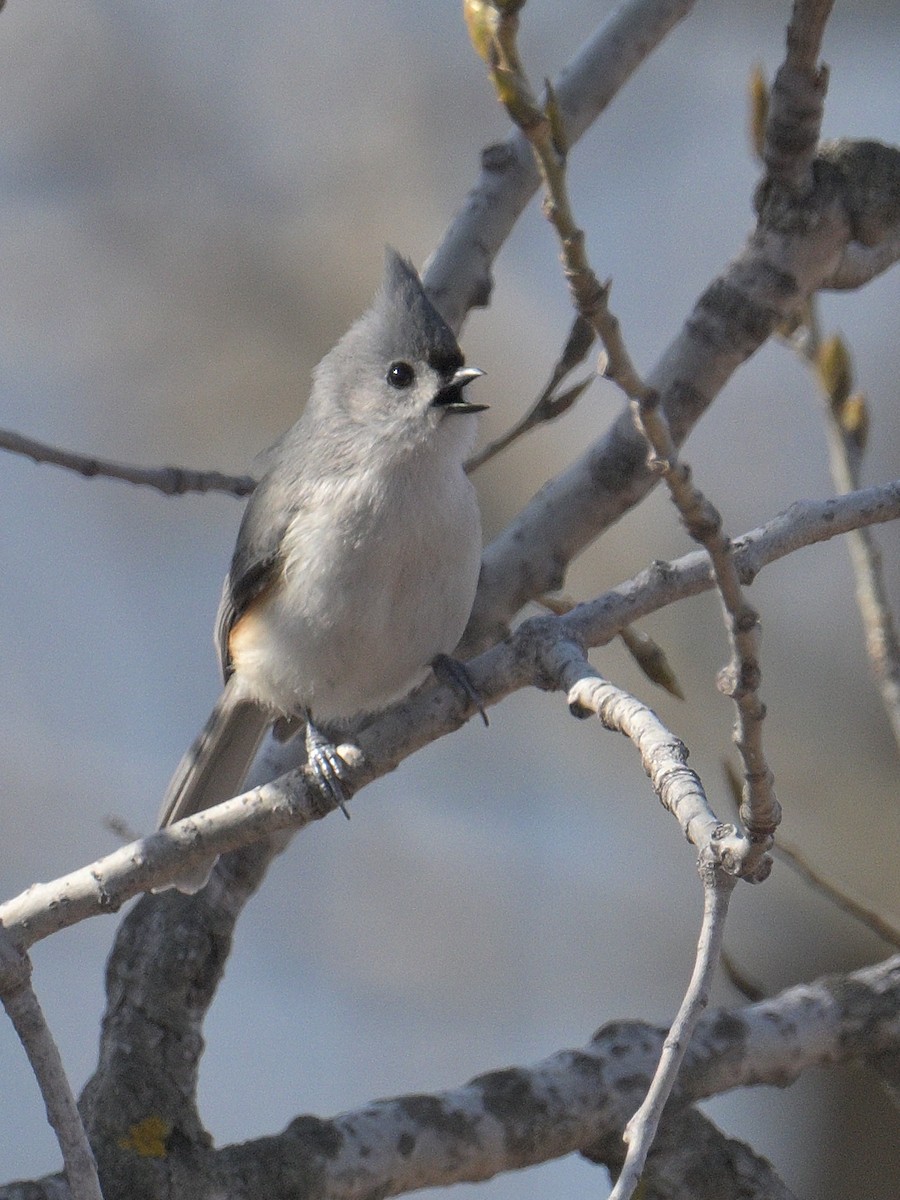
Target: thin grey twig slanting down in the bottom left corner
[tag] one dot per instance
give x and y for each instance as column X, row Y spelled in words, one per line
column 25, row 1011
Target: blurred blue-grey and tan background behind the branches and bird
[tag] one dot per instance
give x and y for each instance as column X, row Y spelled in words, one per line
column 195, row 201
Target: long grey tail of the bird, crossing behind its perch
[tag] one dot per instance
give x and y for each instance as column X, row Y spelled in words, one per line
column 215, row 766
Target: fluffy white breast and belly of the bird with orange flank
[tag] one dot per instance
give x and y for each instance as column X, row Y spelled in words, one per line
column 369, row 599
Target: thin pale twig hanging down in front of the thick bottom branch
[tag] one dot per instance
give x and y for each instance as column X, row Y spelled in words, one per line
column 641, row 1130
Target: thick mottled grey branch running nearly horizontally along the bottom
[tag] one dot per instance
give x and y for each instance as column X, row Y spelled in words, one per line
column 577, row 1101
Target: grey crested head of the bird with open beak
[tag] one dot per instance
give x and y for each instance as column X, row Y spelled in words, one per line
column 399, row 369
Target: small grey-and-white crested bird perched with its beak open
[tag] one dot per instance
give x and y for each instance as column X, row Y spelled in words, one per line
column 359, row 551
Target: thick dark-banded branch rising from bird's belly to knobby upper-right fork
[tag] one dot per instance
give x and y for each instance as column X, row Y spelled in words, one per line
column 761, row 290
